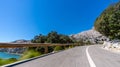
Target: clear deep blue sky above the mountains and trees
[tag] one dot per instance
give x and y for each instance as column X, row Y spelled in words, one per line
column 23, row 19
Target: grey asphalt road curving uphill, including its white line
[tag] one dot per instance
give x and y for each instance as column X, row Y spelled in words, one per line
column 85, row 56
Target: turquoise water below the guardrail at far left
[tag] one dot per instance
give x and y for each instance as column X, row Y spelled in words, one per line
column 4, row 55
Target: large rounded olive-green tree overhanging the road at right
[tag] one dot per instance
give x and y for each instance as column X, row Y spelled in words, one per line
column 108, row 23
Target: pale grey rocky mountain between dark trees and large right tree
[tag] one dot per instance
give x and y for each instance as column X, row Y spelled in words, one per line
column 91, row 36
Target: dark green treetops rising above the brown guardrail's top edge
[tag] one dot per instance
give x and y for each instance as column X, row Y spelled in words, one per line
column 52, row 37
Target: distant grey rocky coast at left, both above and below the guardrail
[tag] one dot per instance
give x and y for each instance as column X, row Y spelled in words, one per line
column 15, row 50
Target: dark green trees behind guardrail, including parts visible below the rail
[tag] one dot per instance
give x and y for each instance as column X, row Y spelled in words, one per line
column 52, row 37
